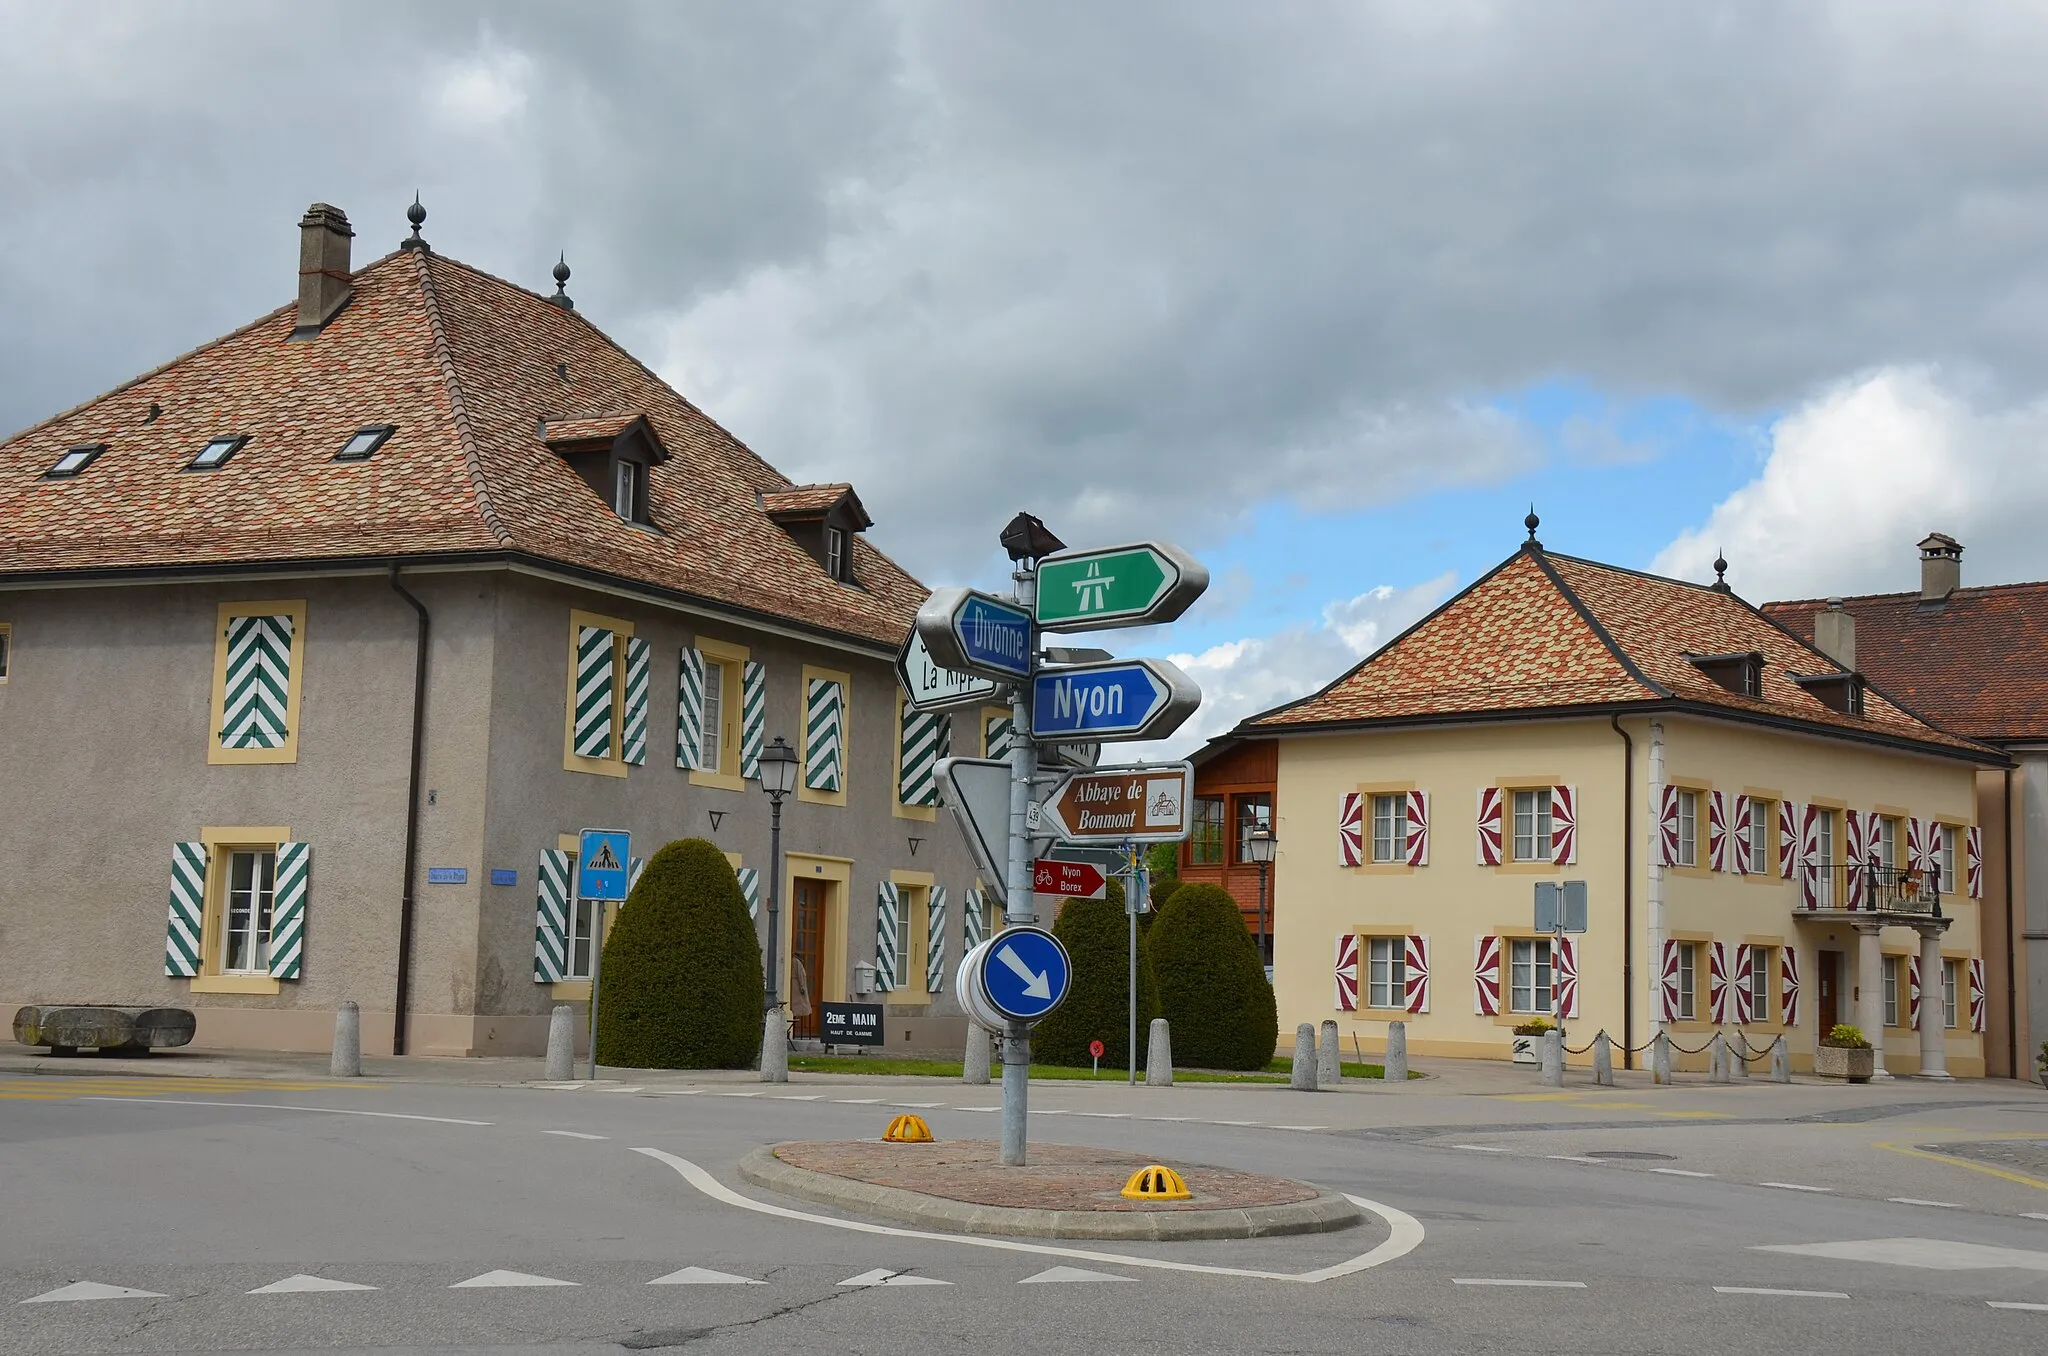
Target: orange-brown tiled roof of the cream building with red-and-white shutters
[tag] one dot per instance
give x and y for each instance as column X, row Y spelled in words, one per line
column 1553, row 632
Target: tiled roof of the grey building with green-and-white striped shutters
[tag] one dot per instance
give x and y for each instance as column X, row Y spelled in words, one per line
column 466, row 368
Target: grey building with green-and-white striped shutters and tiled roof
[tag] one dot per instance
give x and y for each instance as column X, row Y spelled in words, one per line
column 321, row 642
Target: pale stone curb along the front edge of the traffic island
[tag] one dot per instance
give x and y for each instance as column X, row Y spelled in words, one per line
column 1320, row 1216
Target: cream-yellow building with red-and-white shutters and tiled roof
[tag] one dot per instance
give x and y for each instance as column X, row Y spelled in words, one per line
column 1768, row 845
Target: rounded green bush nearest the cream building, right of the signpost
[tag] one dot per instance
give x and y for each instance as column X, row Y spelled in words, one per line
column 1211, row 984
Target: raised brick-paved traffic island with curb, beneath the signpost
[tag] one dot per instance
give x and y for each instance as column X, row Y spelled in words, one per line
column 1064, row 1193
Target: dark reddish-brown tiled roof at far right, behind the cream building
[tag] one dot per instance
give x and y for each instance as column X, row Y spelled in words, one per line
column 1975, row 665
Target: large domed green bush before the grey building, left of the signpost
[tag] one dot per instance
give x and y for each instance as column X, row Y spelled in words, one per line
column 683, row 970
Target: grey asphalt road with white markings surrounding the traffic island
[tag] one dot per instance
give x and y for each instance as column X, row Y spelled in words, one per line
column 206, row 1195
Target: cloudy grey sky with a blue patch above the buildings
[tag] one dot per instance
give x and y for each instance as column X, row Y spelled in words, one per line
column 1326, row 292
